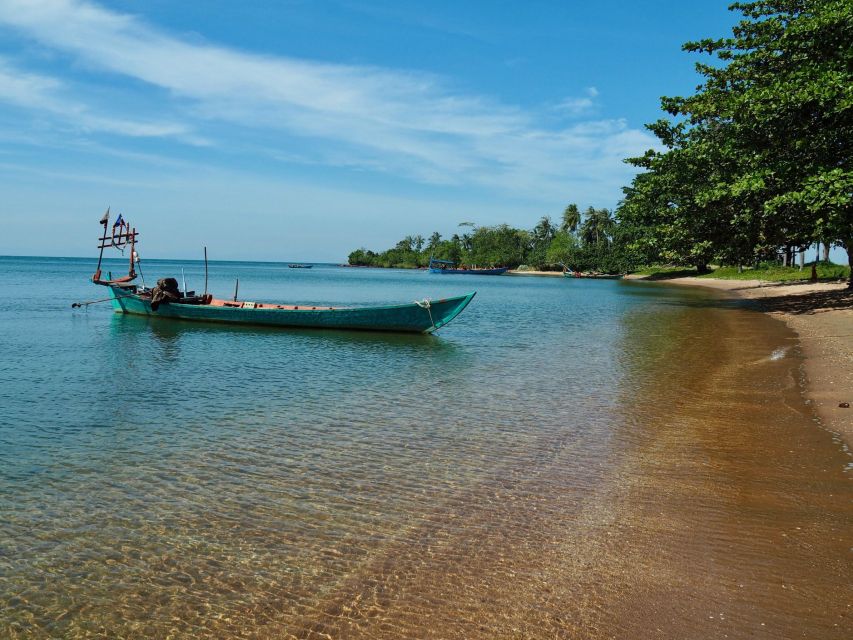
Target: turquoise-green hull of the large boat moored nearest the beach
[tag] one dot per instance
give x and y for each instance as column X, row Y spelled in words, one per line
column 409, row 318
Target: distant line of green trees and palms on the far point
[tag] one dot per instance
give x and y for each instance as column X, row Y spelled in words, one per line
column 589, row 241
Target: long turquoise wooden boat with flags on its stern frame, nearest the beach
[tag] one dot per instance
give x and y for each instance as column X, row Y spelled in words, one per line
column 167, row 301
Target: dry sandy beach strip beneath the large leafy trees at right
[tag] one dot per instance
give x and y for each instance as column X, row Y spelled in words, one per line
column 821, row 314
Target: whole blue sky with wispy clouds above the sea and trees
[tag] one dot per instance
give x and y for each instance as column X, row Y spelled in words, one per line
column 299, row 130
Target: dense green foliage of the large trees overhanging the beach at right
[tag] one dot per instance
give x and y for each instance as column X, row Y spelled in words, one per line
column 760, row 156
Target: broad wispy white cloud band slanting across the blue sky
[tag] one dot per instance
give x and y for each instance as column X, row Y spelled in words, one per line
column 408, row 124
